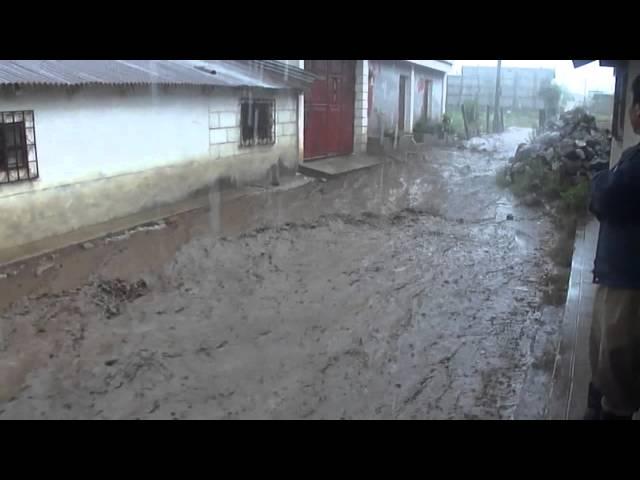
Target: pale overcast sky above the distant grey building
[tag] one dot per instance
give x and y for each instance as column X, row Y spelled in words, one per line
column 591, row 77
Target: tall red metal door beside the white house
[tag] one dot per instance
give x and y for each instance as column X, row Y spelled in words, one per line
column 329, row 108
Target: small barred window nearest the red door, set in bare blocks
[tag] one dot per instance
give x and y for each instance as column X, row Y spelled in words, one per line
column 257, row 122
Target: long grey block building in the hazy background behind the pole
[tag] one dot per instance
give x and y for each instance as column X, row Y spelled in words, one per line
column 519, row 87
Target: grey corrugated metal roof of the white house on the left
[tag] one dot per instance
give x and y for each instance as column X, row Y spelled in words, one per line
column 228, row 73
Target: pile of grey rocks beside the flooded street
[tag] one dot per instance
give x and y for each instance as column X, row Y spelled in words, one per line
column 572, row 145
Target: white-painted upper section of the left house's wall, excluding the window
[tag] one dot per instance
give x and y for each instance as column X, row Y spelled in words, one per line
column 99, row 132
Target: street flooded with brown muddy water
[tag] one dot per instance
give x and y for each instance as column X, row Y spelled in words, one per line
column 401, row 292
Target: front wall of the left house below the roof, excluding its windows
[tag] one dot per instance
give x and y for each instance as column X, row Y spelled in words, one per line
column 107, row 152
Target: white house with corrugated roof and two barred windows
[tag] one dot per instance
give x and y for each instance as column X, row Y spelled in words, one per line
column 83, row 142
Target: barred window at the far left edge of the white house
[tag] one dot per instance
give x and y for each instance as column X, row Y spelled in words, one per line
column 18, row 155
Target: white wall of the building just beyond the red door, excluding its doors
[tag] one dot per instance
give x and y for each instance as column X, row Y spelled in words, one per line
column 386, row 86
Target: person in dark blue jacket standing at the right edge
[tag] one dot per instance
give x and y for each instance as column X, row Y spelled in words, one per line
column 614, row 391
